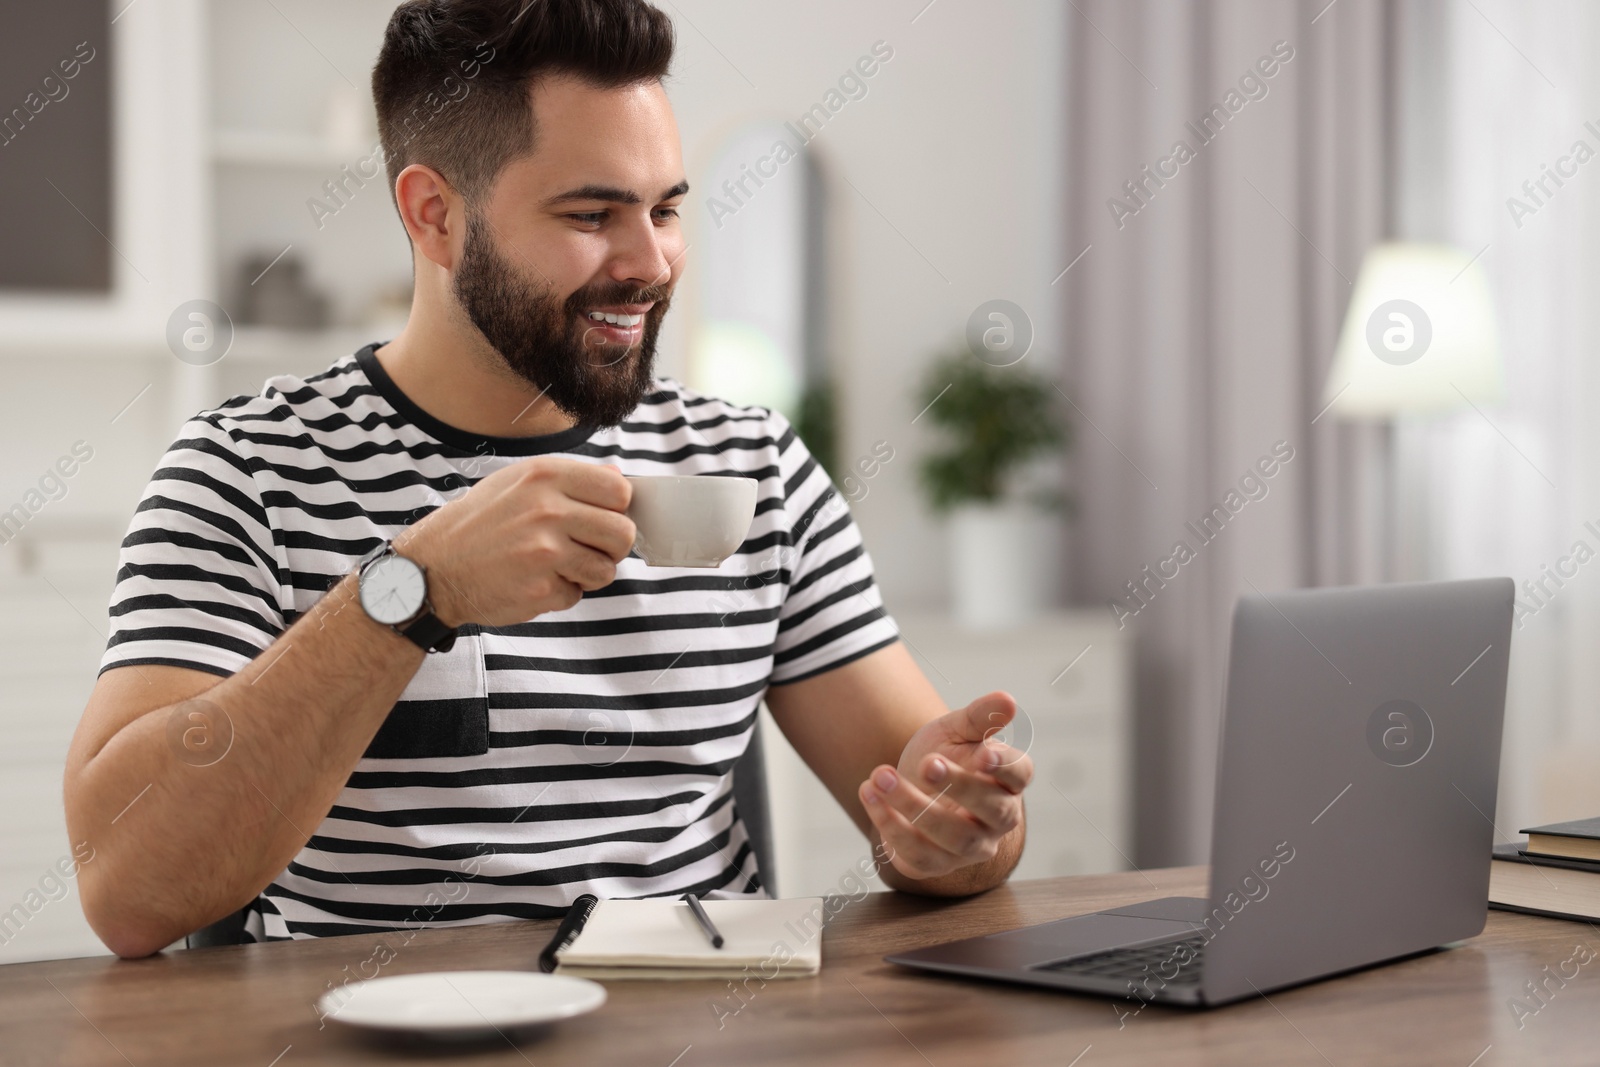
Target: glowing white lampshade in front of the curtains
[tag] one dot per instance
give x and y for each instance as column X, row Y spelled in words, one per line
column 1418, row 337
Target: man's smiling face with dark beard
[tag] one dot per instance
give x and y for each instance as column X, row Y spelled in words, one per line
column 570, row 265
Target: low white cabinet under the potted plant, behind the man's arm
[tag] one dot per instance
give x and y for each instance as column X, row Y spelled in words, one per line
column 1071, row 676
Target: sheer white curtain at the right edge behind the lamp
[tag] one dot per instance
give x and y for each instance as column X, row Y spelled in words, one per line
column 1502, row 95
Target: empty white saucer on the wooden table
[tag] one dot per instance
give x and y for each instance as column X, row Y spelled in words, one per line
column 462, row 1004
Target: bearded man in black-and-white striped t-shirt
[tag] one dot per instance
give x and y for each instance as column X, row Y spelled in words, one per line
column 268, row 730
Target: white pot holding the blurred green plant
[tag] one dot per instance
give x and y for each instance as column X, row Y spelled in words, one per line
column 1006, row 564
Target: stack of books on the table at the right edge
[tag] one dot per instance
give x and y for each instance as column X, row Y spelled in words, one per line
column 1556, row 873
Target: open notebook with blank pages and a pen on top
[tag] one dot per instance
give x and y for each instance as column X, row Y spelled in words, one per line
column 660, row 938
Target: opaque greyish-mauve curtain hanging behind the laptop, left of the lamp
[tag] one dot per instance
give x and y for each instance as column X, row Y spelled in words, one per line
column 1201, row 319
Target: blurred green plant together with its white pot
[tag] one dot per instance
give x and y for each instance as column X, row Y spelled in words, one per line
column 998, row 423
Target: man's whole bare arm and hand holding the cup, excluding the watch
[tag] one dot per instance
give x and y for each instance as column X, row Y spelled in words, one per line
column 527, row 540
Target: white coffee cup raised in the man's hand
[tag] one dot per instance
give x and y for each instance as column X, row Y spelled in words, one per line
column 690, row 521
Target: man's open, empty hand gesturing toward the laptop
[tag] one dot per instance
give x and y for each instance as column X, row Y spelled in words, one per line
column 956, row 794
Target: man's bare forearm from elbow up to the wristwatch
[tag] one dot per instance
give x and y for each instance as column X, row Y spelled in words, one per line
column 193, row 844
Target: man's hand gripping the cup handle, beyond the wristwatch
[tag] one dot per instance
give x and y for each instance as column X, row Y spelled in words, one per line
column 530, row 538
